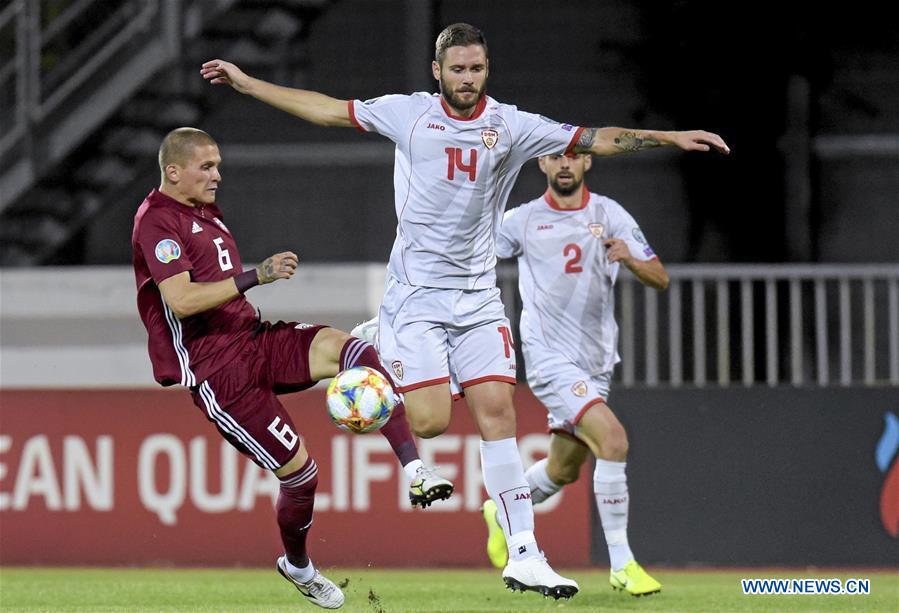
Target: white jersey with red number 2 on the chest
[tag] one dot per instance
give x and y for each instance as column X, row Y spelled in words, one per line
column 566, row 281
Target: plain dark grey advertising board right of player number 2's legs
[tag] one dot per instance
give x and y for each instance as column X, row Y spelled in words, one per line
column 756, row 476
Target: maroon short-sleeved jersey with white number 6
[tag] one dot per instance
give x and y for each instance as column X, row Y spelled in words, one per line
column 169, row 238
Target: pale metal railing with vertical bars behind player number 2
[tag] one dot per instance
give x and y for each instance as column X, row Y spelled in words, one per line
column 770, row 324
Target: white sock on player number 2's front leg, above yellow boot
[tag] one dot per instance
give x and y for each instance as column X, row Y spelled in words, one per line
column 610, row 489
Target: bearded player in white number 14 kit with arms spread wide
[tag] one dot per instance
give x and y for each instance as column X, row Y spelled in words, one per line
column 457, row 156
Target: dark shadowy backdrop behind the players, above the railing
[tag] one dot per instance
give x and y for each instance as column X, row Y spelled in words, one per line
column 806, row 96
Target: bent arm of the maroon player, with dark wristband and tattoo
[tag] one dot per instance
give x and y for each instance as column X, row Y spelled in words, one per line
column 186, row 297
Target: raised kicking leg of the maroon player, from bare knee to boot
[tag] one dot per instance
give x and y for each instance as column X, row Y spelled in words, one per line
column 333, row 351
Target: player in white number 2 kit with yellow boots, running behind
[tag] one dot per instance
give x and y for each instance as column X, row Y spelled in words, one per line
column 570, row 244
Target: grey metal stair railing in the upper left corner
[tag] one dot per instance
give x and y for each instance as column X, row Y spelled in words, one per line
column 72, row 64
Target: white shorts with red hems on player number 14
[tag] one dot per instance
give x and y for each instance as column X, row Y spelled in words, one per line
column 427, row 334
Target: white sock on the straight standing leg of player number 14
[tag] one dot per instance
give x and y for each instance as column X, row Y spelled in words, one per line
column 505, row 482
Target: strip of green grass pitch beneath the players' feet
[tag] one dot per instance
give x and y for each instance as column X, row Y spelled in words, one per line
column 396, row 591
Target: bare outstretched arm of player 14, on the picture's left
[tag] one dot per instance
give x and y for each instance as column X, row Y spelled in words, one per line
column 312, row 106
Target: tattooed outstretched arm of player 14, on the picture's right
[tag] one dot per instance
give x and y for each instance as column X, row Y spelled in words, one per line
column 612, row 141
